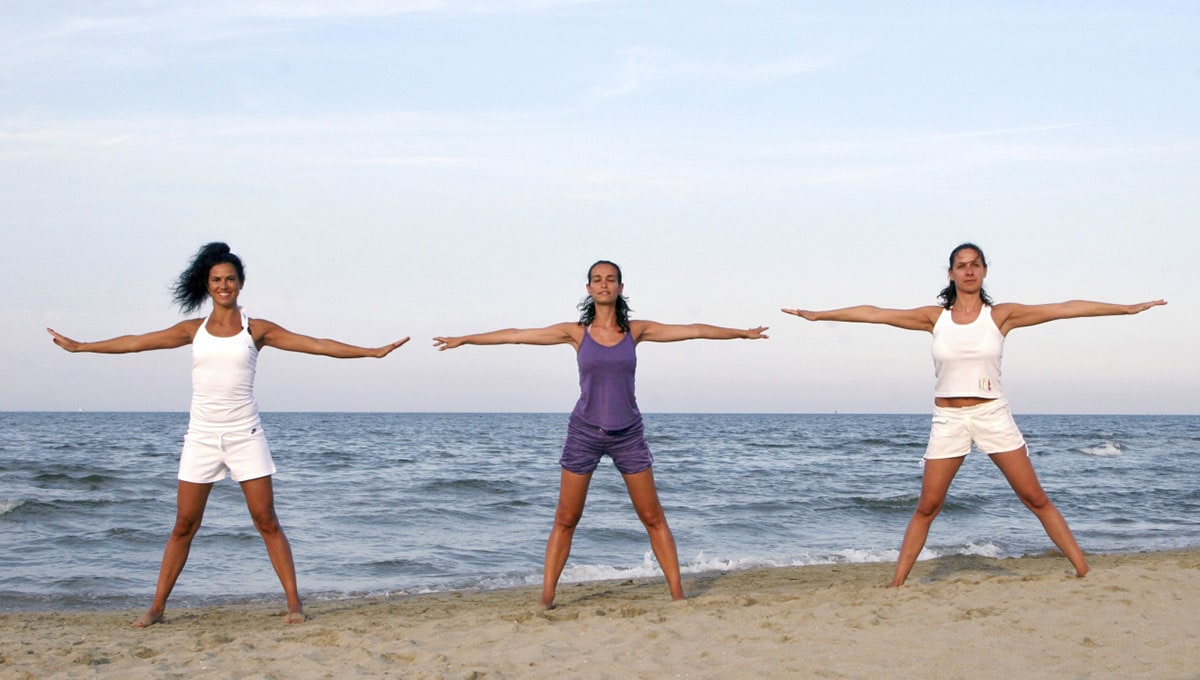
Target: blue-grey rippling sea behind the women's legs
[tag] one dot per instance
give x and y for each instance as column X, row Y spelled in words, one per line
column 379, row 504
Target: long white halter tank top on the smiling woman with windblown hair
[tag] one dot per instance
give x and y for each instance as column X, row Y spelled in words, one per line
column 224, row 381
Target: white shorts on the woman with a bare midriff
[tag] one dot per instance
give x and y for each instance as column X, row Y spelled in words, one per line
column 989, row 426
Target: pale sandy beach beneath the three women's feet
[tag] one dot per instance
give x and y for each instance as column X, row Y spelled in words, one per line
column 1135, row 617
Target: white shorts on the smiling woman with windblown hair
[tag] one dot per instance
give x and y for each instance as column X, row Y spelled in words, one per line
column 208, row 456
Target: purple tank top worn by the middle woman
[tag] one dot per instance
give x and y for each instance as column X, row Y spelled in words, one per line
column 607, row 384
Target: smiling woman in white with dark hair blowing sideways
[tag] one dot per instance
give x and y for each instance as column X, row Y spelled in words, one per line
column 225, row 434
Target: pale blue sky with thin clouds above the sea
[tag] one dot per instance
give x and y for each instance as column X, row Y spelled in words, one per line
column 427, row 169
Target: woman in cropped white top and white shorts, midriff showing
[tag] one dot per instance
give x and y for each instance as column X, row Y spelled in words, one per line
column 969, row 335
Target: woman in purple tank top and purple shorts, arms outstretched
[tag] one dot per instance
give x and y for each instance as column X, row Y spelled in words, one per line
column 605, row 420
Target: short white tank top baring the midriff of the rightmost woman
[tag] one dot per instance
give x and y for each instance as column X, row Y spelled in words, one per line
column 967, row 357
